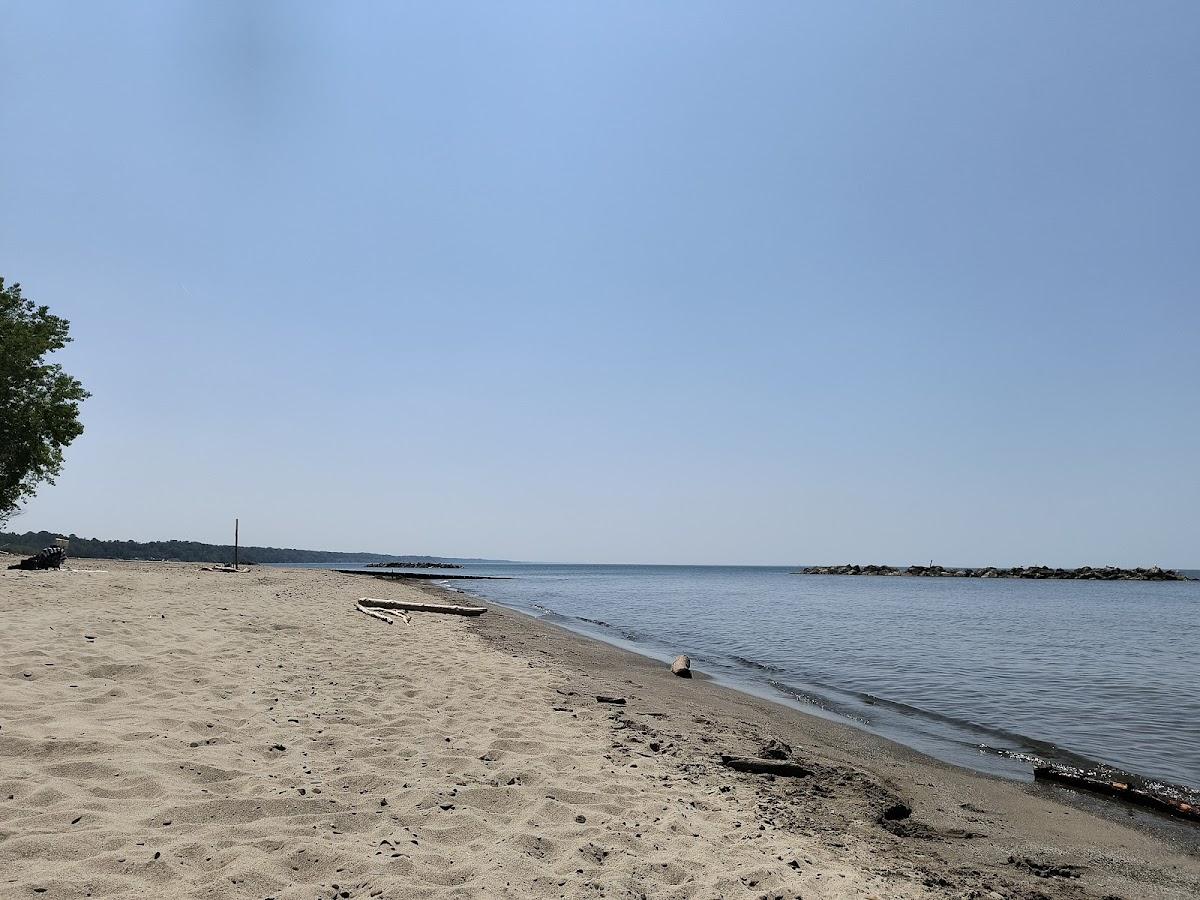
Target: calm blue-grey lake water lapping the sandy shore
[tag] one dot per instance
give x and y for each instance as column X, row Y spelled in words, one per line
column 993, row 675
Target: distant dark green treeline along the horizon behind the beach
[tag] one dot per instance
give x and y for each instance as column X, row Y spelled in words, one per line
column 188, row 551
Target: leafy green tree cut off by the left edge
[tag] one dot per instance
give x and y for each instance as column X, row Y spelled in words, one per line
column 39, row 401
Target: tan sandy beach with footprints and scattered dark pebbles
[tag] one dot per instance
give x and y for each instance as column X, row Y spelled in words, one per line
column 172, row 733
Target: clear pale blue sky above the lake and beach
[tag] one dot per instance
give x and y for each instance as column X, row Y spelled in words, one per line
column 688, row 283
